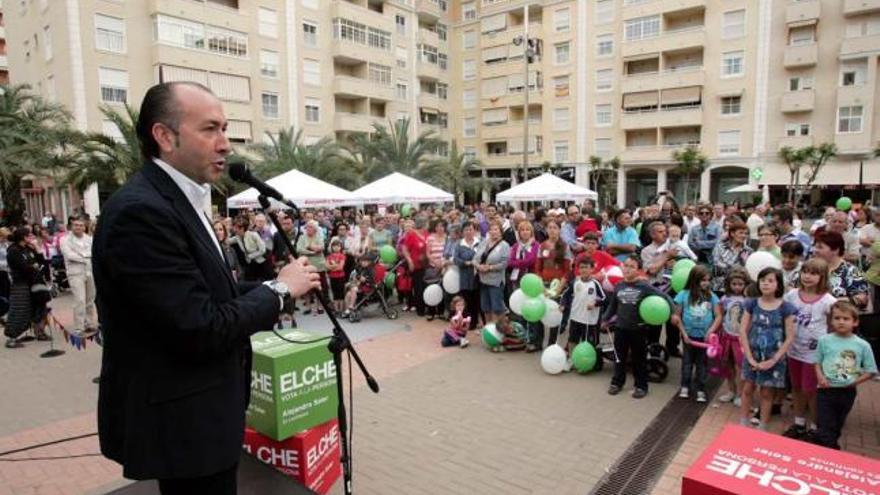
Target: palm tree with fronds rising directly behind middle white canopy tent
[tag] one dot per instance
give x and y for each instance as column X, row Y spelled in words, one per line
column 394, row 151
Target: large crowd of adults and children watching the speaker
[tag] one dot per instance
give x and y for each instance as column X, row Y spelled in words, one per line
column 774, row 332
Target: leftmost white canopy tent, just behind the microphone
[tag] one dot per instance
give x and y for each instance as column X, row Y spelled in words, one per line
column 304, row 190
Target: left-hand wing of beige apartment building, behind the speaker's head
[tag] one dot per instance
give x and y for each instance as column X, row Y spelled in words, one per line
column 329, row 67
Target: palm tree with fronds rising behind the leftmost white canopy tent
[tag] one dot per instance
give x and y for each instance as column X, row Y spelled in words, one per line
column 286, row 151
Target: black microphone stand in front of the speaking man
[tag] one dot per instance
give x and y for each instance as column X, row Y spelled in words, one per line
column 339, row 343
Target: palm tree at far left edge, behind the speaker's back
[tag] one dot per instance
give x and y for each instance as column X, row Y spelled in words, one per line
column 35, row 137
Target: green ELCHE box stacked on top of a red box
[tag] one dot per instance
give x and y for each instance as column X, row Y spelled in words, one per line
column 293, row 386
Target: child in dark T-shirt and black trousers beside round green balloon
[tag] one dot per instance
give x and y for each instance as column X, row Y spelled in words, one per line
column 631, row 335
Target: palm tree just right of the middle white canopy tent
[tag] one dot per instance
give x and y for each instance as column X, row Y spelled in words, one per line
column 453, row 173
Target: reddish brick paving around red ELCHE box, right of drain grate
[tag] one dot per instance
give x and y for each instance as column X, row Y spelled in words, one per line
column 860, row 436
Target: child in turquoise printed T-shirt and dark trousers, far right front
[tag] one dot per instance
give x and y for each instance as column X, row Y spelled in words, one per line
column 843, row 362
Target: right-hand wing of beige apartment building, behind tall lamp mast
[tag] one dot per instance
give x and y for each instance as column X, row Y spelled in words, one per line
column 639, row 79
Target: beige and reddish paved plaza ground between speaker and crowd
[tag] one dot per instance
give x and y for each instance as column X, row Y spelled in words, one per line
column 447, row 421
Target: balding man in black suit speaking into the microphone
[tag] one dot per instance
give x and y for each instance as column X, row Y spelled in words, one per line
column 175, row 375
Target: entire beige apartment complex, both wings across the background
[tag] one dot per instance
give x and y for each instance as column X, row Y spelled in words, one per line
column 631, row 79
